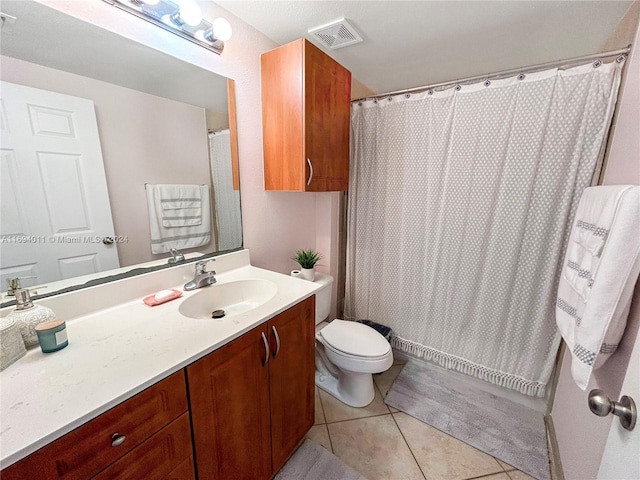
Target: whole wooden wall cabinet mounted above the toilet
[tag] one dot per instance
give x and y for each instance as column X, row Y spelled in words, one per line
column 305, row 119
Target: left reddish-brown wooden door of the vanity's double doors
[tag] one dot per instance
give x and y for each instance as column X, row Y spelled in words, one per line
column 229, row 397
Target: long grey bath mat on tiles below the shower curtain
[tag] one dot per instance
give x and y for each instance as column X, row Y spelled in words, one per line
column 502, row 428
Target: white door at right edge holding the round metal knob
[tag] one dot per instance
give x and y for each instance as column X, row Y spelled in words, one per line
column 621, row 459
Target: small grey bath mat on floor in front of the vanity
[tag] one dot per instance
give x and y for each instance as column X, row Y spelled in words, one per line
column 314, row 462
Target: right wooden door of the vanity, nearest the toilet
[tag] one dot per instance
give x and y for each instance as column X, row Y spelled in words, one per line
column 292, row 372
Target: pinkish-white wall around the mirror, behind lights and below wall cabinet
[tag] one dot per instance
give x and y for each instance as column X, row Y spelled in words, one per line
column 275, row 224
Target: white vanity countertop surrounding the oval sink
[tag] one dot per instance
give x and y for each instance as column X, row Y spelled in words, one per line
column 115, row 353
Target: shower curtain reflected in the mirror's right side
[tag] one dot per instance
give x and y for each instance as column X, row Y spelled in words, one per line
column 226, row 200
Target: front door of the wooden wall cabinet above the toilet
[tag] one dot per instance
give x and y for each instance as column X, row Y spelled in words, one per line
column 327, row 121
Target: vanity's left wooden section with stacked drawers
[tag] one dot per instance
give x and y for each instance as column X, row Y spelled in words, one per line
column 147, row 436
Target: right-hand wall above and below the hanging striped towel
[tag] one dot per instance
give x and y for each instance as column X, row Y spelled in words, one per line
column 581, row 435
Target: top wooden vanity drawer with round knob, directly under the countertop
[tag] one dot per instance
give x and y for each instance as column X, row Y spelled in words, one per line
column 88, row 449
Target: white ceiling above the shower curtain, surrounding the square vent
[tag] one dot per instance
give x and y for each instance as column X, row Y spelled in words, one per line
column 414, row 43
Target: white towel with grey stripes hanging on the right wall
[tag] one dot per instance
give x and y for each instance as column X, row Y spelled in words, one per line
column 600, row 270
